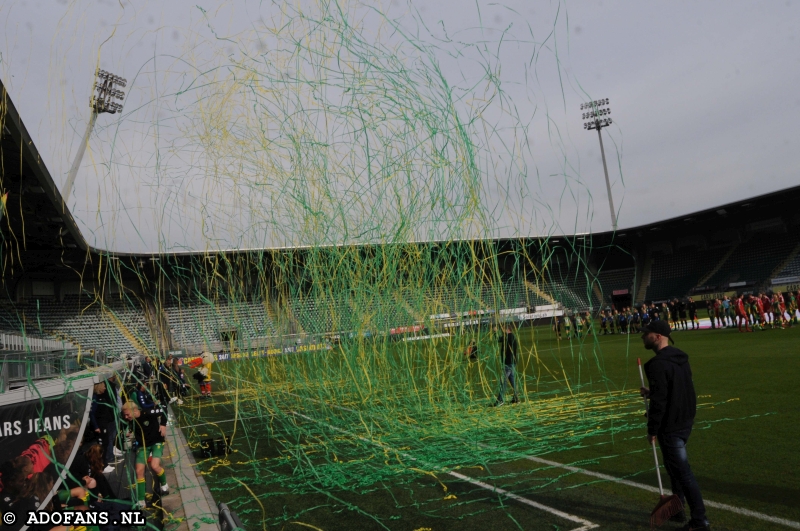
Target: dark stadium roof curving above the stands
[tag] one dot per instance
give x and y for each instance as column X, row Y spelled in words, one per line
column 44, row 237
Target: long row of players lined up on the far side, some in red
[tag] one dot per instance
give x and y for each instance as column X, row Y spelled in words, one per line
column 759, row 311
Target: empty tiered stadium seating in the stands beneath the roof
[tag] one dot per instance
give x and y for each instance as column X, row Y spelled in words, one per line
column 120, row 326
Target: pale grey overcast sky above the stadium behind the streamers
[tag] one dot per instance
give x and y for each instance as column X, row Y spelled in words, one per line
column 703, row 95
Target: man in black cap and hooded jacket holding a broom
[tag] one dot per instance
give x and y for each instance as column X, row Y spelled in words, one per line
column 673, row 403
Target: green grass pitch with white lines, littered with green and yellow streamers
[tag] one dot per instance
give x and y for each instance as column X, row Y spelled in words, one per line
column 741, row 449
